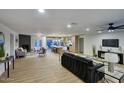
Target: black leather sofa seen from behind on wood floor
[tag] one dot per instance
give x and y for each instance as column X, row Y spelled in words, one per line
column 82, row 67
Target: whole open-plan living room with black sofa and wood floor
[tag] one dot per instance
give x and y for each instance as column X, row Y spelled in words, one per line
column 63, row 35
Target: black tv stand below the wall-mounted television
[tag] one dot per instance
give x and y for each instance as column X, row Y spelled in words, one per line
column 100, row 53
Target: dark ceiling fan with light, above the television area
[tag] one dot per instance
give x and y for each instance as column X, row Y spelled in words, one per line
column 111, row 27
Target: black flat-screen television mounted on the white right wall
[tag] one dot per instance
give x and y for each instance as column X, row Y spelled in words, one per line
column 110, row 42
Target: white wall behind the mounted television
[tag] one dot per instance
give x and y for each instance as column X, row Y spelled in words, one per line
column 96, row 40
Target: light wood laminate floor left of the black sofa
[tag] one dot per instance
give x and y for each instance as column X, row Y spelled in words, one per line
column 35, row 69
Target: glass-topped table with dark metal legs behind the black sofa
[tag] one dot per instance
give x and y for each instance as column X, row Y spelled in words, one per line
column 119, row 75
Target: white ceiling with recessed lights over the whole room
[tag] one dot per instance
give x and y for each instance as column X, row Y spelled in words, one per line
column 54, row 21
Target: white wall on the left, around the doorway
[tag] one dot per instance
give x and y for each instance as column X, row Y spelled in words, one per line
column 6, row 32
